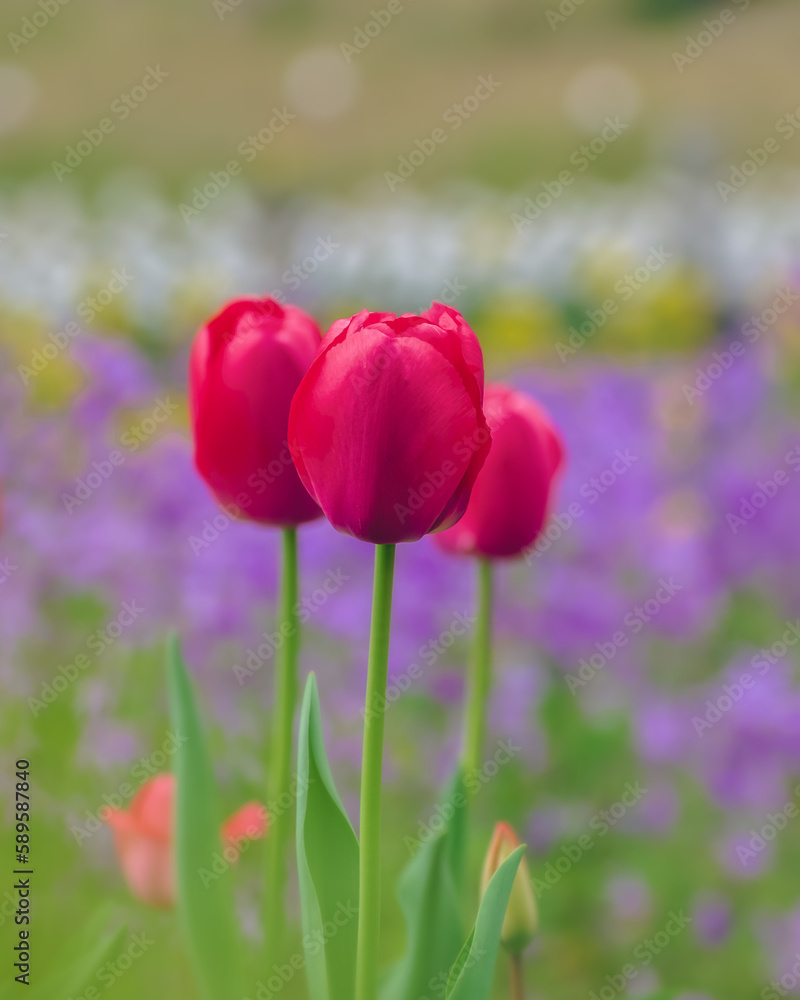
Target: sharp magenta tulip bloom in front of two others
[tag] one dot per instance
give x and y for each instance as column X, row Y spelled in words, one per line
column 387, row 426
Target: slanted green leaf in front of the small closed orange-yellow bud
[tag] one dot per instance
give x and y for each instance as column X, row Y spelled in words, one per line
column 474, row 968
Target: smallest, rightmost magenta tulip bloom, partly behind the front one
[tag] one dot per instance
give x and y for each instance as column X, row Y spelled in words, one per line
column 511, row 496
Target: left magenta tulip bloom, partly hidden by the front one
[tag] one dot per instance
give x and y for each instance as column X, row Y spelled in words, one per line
column 245, row 365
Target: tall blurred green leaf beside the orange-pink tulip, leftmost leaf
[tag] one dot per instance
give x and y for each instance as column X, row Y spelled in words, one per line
column 205, row 898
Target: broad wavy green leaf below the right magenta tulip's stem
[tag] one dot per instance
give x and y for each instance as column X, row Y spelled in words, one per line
column 429, row 899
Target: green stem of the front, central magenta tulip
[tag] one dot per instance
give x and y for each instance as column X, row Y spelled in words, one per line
column 369, row 889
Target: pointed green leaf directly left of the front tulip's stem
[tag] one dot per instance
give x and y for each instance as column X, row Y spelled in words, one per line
column 327, row 864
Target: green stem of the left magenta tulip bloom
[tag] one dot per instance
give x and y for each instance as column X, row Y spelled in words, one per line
column 279, row 768
